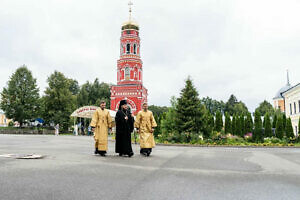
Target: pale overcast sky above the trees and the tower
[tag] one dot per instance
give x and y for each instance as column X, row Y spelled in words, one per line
column 242, row 47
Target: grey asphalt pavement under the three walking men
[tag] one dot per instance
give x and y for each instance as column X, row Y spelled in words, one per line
column 71, row 171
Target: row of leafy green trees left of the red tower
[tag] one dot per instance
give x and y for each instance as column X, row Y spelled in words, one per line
column 21, row 101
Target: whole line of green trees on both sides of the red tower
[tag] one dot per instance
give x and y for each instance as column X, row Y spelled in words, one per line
column 188, row 119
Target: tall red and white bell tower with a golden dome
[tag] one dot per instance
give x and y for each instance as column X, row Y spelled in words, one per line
column 129, row 70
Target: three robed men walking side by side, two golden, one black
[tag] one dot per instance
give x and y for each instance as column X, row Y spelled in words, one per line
column 125, row 124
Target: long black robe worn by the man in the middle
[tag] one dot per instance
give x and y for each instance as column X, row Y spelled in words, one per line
column 123, row 132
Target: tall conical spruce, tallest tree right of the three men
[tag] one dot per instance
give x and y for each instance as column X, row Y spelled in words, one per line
column 190, row 113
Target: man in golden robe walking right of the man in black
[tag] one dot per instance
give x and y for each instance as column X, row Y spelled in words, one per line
column 145, row 124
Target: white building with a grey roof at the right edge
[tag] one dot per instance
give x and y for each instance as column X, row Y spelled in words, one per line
column 292, row 105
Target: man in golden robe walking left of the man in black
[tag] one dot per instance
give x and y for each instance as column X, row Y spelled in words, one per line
column 100, row 124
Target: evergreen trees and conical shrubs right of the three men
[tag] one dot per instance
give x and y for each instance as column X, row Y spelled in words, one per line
column 190, row 118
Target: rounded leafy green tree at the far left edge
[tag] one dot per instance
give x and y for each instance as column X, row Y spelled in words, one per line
column 20, row 99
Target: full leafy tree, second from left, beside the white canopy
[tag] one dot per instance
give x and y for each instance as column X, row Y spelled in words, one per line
column 59, row 101
